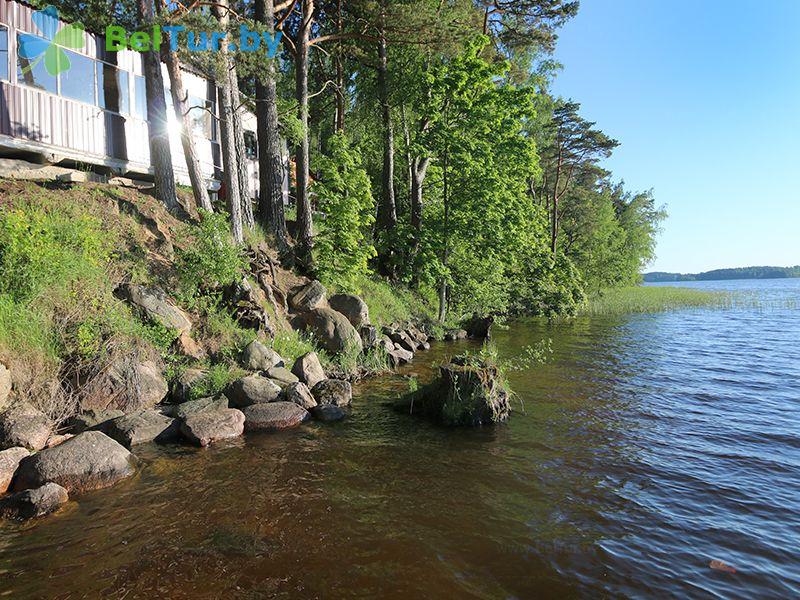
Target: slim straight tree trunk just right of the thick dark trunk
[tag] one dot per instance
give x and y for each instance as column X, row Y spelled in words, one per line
column 304, row 220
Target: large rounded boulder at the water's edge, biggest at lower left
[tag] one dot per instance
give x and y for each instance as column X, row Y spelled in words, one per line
column 89, row 461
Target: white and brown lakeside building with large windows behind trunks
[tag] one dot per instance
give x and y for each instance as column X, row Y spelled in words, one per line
column 94, row 112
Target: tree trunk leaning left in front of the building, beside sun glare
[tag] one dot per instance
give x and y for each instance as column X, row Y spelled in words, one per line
column 179, row 97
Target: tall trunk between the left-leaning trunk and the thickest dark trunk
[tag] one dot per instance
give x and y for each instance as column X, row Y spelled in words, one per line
column 227, row 134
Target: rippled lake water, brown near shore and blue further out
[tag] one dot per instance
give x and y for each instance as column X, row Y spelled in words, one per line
column 650, row 445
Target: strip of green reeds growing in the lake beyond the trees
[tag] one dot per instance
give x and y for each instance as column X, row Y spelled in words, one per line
column 648, row 299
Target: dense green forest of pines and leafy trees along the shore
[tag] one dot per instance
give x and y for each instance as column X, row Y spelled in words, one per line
column 426, row 147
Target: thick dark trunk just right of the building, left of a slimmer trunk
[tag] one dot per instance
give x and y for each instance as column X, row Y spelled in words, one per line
column 270, row 161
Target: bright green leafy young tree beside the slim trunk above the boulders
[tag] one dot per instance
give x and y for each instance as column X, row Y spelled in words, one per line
column 343, row 246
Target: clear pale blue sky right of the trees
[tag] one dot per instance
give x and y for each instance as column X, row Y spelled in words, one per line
column 704, row 97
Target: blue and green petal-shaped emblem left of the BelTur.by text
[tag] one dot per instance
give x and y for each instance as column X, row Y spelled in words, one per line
column 50, row 49
